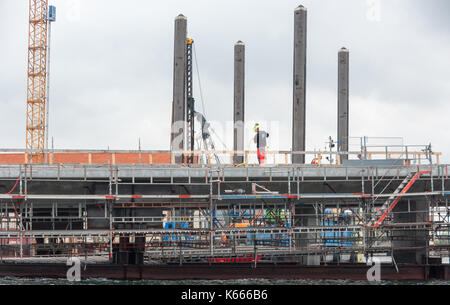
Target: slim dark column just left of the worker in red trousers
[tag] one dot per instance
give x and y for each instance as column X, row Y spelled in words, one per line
column 239, row 102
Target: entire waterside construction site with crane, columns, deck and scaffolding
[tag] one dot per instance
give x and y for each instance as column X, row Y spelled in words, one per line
column 196, row 212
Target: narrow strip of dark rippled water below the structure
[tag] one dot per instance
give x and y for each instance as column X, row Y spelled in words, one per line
column 47, row 281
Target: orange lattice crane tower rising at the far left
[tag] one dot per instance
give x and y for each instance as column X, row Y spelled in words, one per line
column 37, row 80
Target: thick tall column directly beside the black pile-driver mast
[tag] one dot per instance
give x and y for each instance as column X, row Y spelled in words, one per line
column 178, row 128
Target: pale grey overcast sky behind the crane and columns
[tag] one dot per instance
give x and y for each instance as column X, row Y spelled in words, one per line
column 112, row 69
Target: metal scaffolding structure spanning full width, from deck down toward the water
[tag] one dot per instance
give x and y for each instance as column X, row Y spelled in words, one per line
column 305, row 214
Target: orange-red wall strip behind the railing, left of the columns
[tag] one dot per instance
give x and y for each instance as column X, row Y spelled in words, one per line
column 96, row 158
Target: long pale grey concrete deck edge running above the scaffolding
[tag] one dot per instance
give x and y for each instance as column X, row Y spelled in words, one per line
column 67, row 171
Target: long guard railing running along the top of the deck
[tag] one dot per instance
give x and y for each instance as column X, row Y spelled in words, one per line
column 407, row 154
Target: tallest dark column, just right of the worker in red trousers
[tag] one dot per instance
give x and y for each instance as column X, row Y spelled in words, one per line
column 299, row 102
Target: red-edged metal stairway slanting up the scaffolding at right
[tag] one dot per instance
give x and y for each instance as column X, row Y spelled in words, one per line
column 395, row 198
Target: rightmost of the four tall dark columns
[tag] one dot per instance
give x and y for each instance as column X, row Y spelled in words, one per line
column 343, row 92
